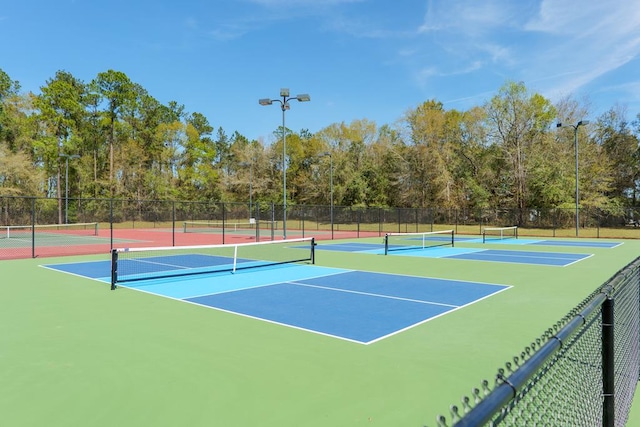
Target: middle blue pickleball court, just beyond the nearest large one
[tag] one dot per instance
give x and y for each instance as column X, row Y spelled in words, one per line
column 557, row 259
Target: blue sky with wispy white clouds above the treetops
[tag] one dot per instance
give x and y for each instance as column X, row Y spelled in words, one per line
column 357, row 59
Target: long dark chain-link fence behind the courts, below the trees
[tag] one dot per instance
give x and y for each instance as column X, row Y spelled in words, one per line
column 123, row 221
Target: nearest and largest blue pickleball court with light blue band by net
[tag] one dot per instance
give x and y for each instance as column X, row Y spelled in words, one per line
column 356, row 306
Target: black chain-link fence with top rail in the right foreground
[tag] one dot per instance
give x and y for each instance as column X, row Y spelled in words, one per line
column 583, row 371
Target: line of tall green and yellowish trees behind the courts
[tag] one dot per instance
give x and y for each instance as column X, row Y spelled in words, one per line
column 115, row 140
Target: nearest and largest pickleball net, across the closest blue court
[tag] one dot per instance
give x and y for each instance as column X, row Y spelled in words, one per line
column 138, row 264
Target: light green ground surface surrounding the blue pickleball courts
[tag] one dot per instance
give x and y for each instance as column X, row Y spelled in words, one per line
column 72, row 352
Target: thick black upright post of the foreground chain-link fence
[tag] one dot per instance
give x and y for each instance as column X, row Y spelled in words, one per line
column 608, row 364
